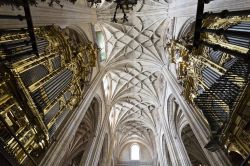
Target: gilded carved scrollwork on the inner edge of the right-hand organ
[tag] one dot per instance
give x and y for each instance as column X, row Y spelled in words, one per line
column 189, row 66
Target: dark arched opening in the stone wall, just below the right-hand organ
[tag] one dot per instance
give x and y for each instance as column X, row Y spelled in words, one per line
column 193, row 148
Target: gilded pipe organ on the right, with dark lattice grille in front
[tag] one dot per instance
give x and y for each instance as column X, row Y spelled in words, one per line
column 215, row 77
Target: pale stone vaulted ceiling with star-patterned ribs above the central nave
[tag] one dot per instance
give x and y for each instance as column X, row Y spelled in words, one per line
column 134, row 83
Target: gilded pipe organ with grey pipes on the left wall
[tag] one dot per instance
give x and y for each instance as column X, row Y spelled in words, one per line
column 39, row 92
